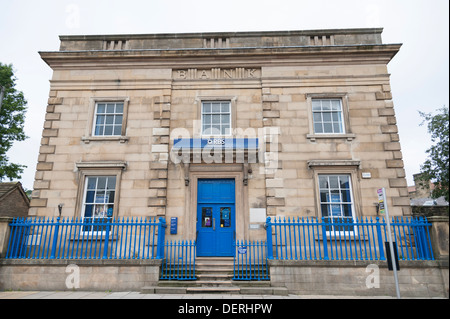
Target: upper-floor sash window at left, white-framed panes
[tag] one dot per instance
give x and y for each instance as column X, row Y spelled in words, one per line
column 108, row 119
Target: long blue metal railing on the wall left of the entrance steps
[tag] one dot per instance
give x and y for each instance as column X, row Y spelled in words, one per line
column 86, row 238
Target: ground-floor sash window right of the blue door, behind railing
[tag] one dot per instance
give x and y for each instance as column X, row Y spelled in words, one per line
column 336, row 201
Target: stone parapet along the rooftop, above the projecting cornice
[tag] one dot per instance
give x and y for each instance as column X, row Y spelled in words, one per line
column 221, row 40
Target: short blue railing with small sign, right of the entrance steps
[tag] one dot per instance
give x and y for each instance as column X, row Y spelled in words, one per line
column 250, row 260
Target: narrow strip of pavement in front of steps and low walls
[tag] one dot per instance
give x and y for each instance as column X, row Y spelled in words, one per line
column 138, row 295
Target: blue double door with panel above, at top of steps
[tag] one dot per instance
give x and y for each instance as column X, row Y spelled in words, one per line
column 216, row 217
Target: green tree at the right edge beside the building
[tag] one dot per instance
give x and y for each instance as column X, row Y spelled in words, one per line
column 435, row 168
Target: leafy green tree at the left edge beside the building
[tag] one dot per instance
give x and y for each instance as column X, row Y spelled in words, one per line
column 12, row 118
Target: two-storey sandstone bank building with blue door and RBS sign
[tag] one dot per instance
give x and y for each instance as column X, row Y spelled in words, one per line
column 220, row 130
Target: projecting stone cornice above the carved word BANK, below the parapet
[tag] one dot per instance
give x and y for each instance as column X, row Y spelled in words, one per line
column 258, row 56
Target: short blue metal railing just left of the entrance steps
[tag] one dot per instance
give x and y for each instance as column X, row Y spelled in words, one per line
column 179, row 261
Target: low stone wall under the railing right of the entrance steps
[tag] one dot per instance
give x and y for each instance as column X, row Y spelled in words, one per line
column 353, row 278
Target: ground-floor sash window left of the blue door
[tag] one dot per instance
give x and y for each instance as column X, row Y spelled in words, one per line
column 98, row 201
